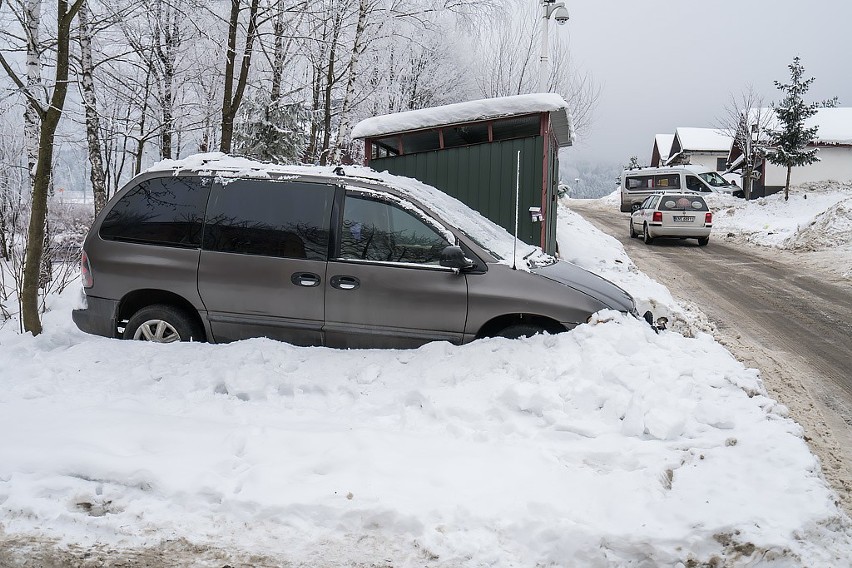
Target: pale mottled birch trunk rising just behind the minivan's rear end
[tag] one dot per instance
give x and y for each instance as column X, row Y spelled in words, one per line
column 96, row 174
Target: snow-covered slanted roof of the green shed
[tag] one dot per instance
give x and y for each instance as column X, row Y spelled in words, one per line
column 473, row 111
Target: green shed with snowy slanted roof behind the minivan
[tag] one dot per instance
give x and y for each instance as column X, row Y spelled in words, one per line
column 470, row 151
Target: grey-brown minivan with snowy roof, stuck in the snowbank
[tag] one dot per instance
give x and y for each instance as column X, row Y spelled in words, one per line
column 216, row 248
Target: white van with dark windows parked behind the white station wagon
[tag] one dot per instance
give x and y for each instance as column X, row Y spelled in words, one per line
column 639, row 183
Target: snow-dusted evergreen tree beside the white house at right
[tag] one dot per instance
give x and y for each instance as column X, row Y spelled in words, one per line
column 789, row 142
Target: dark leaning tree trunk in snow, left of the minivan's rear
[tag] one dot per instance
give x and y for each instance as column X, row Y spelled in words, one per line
column 44, row 167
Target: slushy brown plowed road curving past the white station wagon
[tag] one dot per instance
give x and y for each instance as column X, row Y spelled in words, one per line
column 774, row 314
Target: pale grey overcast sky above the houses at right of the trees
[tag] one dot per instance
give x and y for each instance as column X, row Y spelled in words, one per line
column 668, row 63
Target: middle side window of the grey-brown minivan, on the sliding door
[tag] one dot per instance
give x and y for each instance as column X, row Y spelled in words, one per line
column 270, row 218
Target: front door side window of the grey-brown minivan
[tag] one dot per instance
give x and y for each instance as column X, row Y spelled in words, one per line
column 380, row 231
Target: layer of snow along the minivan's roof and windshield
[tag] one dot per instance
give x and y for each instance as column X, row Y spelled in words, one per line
column 451, row 211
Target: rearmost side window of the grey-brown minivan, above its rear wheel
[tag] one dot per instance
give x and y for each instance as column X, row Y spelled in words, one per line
column 164, row 211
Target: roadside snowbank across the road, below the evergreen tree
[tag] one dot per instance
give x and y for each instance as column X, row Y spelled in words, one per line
column 771, row 221
